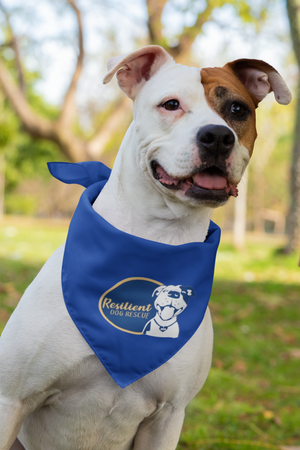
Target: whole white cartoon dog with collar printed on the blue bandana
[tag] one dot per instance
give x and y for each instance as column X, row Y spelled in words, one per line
column 169, row 303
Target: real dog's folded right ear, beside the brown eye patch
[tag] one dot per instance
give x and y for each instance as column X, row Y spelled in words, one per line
column 259, row 78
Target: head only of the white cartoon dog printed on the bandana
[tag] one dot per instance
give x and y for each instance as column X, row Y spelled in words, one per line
column 172, row 300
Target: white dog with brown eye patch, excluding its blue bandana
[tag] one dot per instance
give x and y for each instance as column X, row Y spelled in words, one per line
column 191, row 138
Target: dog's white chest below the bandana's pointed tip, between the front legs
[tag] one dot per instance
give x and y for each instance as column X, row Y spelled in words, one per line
column 91, row 407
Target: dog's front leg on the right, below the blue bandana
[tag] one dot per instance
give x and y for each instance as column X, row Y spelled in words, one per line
column 161, row 431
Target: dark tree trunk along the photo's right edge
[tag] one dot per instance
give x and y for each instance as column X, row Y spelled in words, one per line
column 293, row 217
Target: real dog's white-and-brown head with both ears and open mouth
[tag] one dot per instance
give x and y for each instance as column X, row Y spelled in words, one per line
column 194, row 129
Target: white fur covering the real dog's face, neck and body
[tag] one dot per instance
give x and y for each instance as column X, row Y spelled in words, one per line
column 54, row 392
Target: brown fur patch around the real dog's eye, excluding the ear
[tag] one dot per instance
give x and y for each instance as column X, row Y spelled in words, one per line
column 222, row 87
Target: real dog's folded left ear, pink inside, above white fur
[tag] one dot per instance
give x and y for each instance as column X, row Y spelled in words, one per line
column 134, row 69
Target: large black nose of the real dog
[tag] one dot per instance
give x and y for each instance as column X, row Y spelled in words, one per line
column 216, row 139
